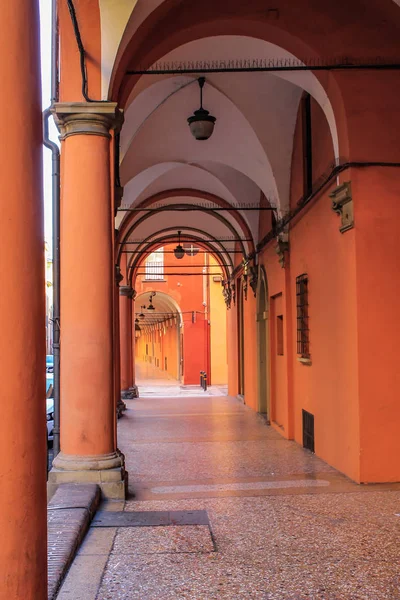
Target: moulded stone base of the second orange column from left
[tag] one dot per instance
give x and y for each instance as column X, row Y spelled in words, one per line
column 107, row 471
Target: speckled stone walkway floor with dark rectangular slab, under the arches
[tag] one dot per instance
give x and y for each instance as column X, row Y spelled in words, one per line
column 277, row 522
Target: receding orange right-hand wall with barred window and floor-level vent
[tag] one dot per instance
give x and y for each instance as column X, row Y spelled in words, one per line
column 328, row 388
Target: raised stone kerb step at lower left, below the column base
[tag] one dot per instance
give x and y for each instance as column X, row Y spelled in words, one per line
column 69, row 514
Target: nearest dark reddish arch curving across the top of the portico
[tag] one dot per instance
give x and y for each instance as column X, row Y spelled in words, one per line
column 139, row 48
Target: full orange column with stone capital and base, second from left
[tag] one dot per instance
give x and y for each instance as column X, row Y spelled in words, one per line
column 88, row 445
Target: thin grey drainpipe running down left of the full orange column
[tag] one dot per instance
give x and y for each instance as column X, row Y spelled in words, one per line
column 56, row 228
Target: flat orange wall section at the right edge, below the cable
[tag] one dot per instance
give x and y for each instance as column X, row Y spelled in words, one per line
column 376, row 203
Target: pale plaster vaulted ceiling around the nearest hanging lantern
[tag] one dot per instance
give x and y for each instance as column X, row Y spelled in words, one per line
column 249, row 154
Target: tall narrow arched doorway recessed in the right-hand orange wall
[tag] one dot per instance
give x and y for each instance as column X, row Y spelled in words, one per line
column 263, row 349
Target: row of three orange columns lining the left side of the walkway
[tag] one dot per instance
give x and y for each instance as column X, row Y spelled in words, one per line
column 89, row 381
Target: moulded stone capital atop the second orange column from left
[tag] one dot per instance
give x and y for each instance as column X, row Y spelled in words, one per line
column 87, row 118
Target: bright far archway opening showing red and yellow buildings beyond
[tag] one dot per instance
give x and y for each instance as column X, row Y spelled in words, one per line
column 180, row 317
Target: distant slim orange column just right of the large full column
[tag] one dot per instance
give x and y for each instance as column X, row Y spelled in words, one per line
column 125, row 321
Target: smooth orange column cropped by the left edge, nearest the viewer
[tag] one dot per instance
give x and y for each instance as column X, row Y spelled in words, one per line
column 23, row 560
